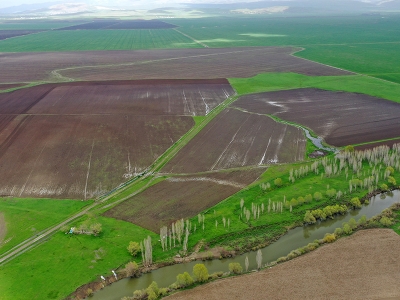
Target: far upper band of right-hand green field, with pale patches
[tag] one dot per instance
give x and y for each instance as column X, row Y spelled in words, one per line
column 267, row 31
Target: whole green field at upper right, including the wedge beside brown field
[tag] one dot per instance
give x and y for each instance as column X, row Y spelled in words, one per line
column 364, row 44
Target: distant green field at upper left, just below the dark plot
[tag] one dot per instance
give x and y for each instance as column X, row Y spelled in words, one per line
column 85, row 40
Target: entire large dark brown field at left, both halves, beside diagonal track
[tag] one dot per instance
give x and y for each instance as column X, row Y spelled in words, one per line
column 79, row 140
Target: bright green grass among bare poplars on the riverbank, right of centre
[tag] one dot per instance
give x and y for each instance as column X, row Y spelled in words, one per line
column 243, row 236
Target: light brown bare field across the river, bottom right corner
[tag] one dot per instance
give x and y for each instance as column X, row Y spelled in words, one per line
column 363, row 266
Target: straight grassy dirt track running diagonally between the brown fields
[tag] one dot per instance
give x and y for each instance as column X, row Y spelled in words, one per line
column 155, row 167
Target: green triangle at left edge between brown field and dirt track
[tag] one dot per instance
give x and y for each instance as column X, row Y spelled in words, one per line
column 27, row 217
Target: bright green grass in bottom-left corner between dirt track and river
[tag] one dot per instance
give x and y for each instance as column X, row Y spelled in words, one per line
column 66, row 262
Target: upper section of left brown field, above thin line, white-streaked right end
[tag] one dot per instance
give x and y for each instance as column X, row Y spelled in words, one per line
column 146, row 97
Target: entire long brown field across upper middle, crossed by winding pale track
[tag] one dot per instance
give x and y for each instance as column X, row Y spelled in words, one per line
column 157, row 64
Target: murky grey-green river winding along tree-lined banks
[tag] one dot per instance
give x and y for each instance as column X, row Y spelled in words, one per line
column 294, row 239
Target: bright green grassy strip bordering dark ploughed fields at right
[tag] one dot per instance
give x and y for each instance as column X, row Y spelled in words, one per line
column 268, row 82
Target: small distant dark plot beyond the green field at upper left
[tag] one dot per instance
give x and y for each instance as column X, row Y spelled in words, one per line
column 118, row 24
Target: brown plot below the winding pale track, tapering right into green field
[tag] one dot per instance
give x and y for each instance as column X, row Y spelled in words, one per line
column 231, row 63
